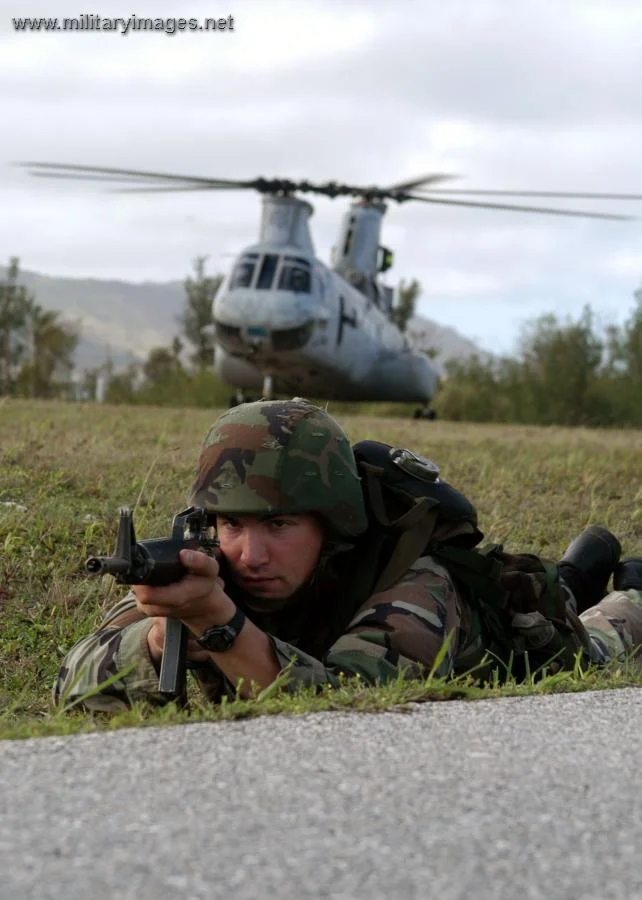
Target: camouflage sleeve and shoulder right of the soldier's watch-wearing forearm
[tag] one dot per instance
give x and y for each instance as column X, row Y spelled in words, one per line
column 400, row 631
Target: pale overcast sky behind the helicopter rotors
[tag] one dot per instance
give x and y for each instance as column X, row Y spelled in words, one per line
column 509, row 95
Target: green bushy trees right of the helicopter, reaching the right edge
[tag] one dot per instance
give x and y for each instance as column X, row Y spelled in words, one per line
column 564, row 373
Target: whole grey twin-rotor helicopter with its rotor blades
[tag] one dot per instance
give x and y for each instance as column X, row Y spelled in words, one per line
column 287, row 323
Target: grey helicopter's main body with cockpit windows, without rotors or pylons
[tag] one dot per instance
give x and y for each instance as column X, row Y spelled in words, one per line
column 283, row 314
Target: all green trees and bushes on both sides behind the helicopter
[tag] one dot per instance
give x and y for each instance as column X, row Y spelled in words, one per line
column 563, row 373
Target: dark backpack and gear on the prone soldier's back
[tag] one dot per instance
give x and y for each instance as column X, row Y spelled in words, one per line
column 522, row 603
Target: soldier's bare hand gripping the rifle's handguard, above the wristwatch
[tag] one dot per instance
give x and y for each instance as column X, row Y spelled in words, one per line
column 198, row 599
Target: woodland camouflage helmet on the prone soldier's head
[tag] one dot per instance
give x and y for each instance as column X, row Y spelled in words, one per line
column 280, row 456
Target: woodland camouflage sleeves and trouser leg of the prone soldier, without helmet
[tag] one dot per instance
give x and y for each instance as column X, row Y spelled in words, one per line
column 398, row 632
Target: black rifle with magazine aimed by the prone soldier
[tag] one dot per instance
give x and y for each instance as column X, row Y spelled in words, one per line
column 157, row 562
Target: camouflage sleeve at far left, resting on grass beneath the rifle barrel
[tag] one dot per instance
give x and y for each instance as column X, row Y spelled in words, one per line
column 116, row 652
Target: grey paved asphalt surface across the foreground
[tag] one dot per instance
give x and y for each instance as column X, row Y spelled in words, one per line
column 515, row 798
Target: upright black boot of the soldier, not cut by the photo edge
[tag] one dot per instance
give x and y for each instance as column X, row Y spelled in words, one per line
column 588, row 563
